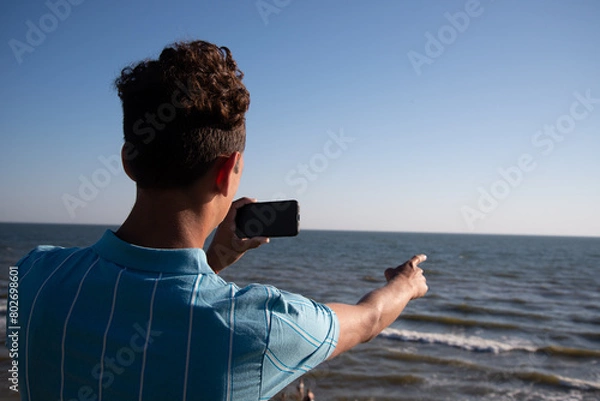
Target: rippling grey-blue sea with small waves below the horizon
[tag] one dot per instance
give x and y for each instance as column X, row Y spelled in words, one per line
column 506, row 317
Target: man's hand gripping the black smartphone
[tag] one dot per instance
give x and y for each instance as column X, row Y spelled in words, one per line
column 226, row 247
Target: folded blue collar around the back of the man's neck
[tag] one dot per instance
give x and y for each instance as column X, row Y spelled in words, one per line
column 177, row 261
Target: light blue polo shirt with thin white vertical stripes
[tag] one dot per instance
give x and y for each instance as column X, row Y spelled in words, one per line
column 115, row 322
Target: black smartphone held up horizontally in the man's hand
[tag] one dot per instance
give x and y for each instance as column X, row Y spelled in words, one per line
column 268, row 219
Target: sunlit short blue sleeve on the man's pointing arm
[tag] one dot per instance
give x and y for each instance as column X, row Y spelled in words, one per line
column 302, row 334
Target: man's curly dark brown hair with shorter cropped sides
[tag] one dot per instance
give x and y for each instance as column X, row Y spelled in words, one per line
column 181, row 112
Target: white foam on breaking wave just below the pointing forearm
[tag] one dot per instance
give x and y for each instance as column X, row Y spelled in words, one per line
column 469, row 343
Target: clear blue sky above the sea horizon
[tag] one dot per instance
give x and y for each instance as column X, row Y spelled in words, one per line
column 433, row 99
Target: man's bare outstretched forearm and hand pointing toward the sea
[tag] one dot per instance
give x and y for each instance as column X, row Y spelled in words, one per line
column 378, row 309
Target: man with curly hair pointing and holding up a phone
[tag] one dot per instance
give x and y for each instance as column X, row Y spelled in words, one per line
column 142, row 314
